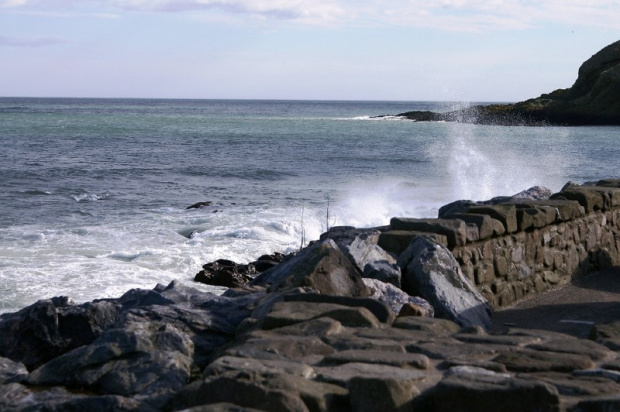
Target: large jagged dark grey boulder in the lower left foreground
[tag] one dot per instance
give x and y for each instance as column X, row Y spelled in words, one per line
column 147, row 361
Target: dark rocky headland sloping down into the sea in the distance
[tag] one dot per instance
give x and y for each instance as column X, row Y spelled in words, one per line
column 594, row 99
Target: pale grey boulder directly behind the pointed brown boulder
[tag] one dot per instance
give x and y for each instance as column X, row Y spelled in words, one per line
column 360, row 246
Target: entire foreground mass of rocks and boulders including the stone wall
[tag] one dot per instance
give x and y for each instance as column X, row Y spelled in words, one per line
column 395, row 318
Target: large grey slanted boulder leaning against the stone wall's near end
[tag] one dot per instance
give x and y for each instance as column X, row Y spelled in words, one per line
column 431, row 272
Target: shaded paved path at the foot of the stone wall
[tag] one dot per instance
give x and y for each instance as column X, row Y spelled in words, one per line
column 572, row 309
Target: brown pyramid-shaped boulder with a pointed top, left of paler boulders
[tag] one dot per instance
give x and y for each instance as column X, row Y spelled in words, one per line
column 322, row 267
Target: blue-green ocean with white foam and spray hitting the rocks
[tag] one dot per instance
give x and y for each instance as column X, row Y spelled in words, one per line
column 94, row 191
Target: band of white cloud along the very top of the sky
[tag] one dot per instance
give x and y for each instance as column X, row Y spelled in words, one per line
column 454, row 15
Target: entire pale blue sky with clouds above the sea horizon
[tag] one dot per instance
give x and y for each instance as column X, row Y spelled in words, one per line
column 406, row 50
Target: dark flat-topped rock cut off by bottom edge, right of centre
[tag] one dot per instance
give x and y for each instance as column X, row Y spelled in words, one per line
column 483, row 393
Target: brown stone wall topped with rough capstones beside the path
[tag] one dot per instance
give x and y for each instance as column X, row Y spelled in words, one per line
column 515, row 248
